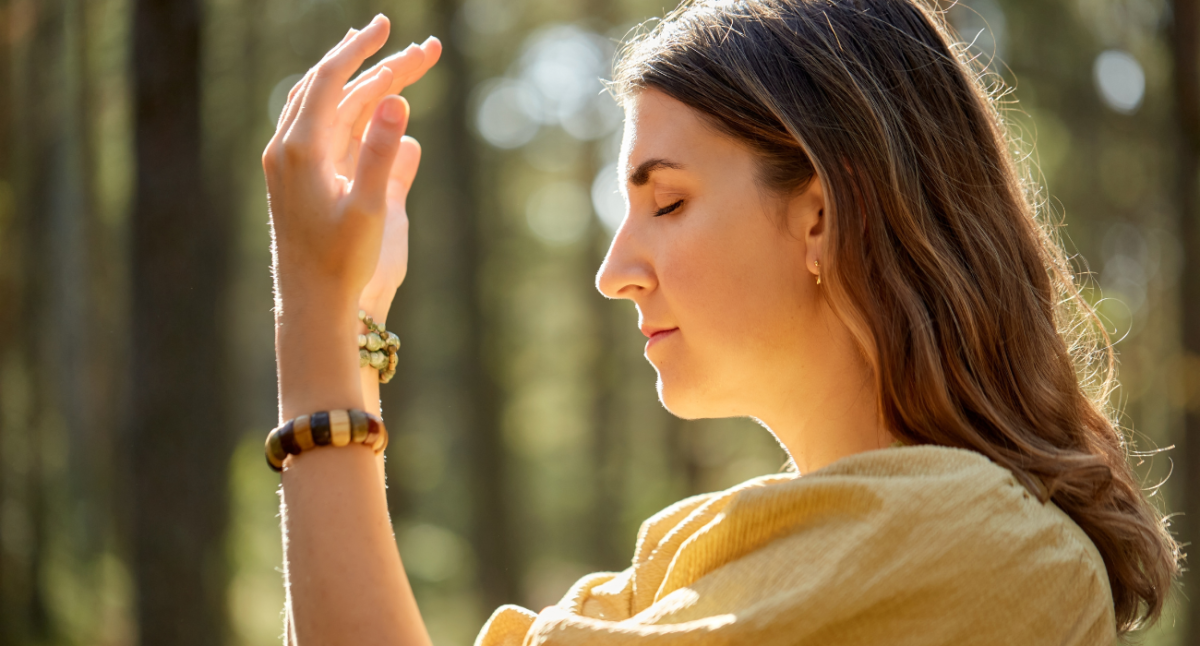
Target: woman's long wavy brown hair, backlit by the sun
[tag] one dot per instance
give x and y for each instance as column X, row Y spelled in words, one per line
column 958, row 295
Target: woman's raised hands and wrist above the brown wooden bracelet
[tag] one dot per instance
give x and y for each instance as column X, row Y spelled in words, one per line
column 338, row 172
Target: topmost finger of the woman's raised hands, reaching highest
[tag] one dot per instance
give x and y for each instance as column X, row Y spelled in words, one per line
column 326, row 91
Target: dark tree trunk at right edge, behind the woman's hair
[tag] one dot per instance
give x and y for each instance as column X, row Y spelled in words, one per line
column 1186, row 59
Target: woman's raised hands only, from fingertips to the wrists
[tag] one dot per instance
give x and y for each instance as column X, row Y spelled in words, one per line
column 339, row 172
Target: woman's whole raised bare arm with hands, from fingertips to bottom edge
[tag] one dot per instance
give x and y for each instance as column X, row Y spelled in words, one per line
column 338, row 172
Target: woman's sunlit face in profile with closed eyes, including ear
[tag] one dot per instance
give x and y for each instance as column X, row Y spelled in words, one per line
column 722, row 273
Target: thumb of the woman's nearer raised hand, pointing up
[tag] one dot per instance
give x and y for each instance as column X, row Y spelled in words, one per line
column 380, row 147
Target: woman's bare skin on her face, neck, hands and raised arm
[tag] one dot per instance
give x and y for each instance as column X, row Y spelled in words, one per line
column 729, row 272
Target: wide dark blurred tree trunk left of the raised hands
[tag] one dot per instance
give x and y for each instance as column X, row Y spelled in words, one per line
column 179, row 424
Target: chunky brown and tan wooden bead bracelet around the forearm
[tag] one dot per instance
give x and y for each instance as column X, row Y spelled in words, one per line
column 325, row 429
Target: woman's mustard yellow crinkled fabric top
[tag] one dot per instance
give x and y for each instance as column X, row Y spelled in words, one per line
column 915, row 546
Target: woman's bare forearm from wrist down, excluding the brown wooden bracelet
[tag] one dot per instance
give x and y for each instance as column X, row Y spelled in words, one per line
column 345, row 578
